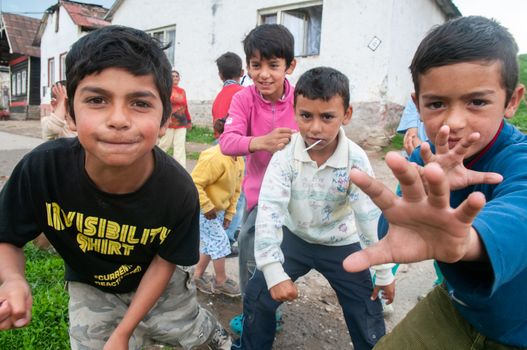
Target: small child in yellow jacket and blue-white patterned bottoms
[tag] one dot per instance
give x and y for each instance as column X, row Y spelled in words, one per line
column 218, row 179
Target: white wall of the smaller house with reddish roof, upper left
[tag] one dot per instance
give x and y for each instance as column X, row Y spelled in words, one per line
column 53, row 44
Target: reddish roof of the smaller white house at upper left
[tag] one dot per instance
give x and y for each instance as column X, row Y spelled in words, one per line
column 86, row 16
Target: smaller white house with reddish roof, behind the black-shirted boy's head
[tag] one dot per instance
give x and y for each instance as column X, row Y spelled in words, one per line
column 62, row 25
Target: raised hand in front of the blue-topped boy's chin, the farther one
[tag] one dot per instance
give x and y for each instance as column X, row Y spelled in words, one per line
column 451, row 160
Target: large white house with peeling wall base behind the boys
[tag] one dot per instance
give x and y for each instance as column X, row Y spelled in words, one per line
column 371, row 41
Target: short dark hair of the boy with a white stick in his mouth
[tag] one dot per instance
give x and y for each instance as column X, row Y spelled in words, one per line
column 323, row 83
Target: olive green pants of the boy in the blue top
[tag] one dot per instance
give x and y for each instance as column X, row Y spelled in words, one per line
column 434, row 323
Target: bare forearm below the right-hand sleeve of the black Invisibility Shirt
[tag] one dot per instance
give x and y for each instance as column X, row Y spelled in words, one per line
column 152, row 285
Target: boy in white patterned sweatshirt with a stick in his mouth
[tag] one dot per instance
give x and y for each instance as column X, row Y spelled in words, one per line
column 310, row 216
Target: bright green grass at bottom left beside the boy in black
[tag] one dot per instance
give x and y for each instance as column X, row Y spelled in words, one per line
column 49, row 325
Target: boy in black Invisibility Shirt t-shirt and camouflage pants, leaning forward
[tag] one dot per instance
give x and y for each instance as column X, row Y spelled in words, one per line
column 119, row 211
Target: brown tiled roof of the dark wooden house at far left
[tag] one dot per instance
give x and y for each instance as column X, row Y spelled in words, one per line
column 20, row 31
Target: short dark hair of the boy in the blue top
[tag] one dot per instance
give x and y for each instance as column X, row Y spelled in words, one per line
column 468, row 39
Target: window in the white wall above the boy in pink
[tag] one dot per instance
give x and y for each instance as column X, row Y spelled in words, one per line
column 304, row 22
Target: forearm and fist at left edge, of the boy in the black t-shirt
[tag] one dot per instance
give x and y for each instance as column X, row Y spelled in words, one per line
column 15, row 295
